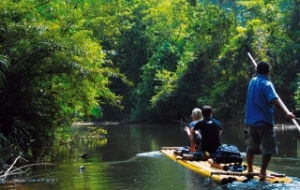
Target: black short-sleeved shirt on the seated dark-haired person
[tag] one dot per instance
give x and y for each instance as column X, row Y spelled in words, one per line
column 210, row 131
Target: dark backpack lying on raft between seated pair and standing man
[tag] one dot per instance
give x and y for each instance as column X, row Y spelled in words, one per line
column 227, row 153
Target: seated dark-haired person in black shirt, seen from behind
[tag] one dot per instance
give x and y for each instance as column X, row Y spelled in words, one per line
column 210, row 130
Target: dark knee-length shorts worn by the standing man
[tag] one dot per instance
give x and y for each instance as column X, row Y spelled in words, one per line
column 262, row 140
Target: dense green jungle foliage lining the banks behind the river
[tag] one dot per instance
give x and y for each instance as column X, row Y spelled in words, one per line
column 132, row 60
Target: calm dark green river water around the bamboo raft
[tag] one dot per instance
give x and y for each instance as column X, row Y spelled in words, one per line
column 129, row 158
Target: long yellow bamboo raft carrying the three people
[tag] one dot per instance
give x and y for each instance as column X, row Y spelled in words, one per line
column 217, row 173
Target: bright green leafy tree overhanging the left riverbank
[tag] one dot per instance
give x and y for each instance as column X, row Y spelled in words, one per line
column 55, row 74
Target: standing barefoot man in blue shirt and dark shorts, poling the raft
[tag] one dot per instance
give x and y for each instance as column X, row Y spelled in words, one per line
column 261, row 99
